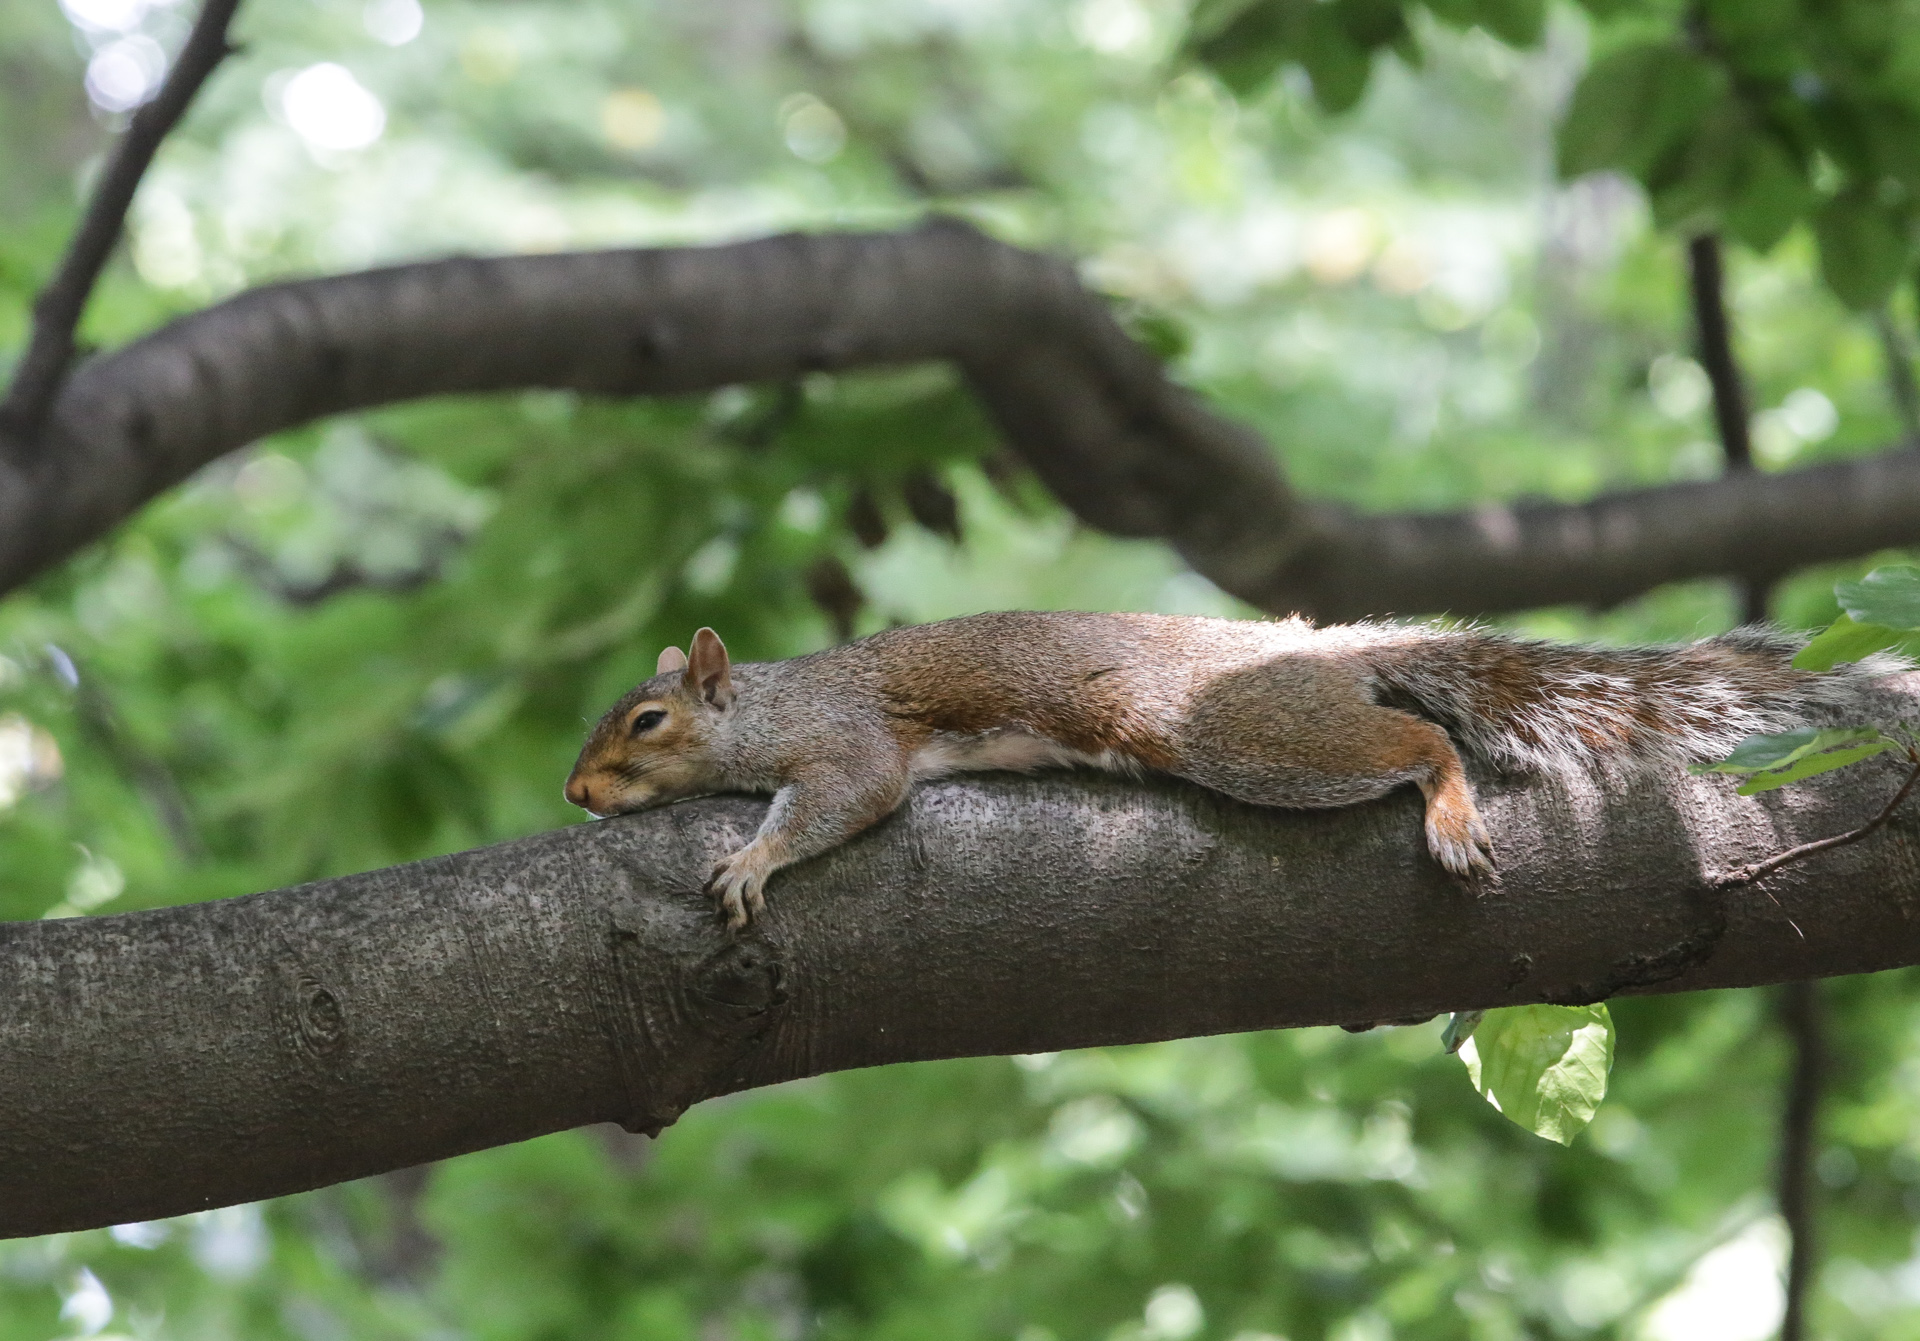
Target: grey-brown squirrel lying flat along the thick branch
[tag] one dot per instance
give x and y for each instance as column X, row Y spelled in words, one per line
column 1266, row 712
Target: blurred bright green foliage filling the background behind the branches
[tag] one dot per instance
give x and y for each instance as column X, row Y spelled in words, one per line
column 381, row 637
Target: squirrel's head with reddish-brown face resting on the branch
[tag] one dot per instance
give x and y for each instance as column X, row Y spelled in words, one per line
column 656, row 744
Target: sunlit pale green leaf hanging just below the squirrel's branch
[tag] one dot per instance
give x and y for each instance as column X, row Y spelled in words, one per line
column 1545, row 1067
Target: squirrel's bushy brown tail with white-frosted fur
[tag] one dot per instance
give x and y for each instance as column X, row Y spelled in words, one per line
column 1560, row 708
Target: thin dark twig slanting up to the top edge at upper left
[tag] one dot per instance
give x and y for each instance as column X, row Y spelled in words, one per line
column 57, row 312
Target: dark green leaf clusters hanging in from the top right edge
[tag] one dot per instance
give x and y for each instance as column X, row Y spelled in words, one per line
column 1735, row 114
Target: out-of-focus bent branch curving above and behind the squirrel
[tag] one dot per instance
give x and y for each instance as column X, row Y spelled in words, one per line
column 1088, row 408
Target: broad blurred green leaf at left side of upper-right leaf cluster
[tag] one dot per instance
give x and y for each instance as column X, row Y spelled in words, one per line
column 1637, row 107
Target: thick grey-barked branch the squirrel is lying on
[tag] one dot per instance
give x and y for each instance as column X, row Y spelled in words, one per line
column 156, row 1063
